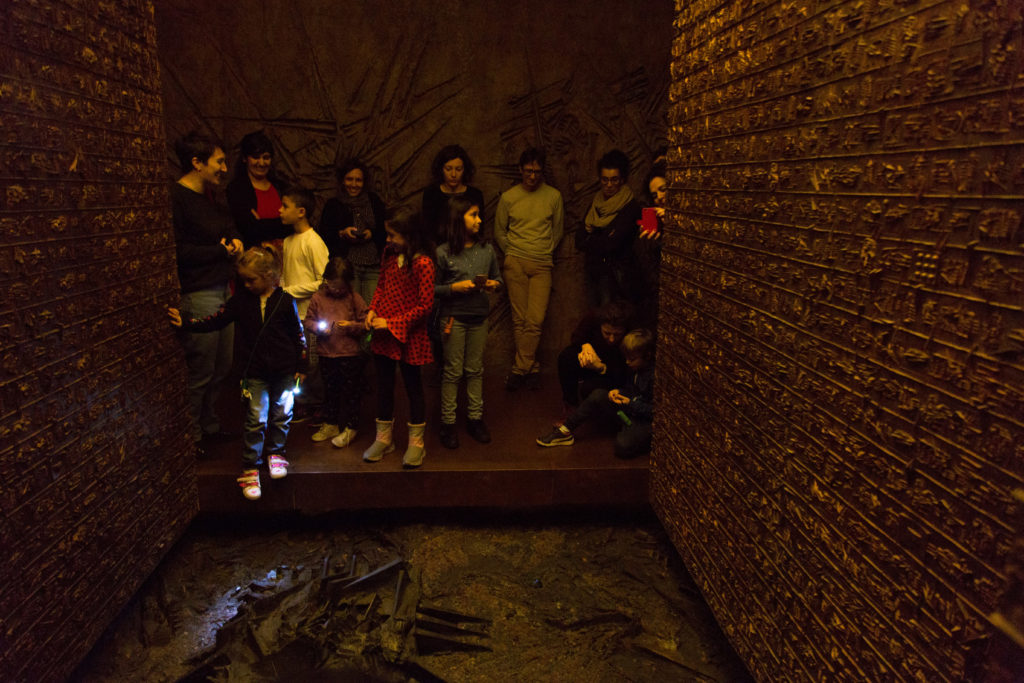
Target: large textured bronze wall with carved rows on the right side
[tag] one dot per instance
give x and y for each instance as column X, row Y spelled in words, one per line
column 842, row 424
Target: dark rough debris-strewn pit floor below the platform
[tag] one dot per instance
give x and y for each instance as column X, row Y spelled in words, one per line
column 517, row 597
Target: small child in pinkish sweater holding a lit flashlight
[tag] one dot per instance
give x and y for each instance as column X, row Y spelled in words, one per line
column 337, row 317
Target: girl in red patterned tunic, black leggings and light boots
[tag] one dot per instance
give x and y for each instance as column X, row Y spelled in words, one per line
column 398, row 318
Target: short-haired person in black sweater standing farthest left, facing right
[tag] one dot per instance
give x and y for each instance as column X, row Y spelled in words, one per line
column 207, row 245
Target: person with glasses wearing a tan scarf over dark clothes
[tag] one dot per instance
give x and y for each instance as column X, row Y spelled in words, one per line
column 607, row 238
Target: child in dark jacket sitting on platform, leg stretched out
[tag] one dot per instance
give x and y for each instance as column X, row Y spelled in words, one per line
column 631, row 406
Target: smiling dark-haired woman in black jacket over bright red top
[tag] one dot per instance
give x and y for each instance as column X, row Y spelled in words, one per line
column 254, row 193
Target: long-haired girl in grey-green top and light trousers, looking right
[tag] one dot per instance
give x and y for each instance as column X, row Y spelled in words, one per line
column 467, row 269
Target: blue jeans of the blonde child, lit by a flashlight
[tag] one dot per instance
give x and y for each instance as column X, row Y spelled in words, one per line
column 268, row 418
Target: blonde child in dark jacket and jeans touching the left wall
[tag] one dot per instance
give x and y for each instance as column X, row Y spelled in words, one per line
column 271, row 351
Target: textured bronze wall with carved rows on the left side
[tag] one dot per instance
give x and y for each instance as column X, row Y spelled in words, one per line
column 95, row 484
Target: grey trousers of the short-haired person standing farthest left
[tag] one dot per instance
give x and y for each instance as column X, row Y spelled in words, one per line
column 208, row 357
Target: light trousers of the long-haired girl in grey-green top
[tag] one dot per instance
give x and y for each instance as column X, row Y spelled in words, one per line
column 464, row 355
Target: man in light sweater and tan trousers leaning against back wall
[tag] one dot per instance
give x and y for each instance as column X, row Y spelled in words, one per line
column 529, row 226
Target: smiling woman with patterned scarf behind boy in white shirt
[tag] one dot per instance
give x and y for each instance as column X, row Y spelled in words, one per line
column 353, row 226
